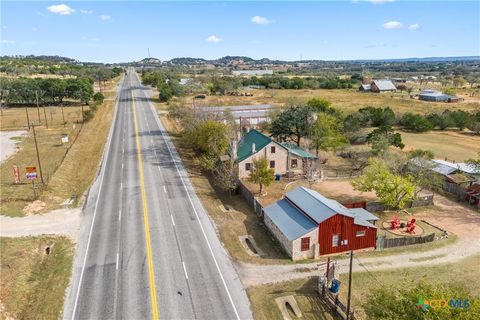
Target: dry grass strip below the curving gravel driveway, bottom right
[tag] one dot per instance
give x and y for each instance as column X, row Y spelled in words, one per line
column 464, row 273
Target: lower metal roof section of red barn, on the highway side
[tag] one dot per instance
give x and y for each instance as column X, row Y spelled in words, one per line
column 291, row 222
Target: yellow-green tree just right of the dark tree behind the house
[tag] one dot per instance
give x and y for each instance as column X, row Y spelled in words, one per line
column 327, row 133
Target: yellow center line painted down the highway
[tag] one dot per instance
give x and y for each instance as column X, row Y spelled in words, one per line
column 151, row 273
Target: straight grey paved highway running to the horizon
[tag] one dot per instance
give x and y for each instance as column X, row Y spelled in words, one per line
column 147, row 249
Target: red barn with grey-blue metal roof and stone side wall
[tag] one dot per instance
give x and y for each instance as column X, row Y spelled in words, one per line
column 309, row 225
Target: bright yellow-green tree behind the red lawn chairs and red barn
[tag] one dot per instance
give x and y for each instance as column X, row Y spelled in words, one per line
column 393, row 190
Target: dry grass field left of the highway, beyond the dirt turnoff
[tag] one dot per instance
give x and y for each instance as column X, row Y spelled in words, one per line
column 62, row 174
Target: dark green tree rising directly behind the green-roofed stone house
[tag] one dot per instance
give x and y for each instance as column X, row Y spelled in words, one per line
column 291, row 123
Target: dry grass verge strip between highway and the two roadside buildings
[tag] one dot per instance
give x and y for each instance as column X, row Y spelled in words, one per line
column 230, row 225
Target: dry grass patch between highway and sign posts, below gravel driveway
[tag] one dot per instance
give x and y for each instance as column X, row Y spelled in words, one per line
column 262, row 299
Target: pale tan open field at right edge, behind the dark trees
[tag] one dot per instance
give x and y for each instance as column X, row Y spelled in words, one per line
column 452, row 145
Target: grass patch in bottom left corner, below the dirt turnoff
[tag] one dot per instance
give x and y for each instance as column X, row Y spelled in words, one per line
column 33, row 283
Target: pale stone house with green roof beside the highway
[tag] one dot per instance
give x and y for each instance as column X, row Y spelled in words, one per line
column 283, row 157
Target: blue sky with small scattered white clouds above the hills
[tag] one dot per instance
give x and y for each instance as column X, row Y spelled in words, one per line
column 123, row 31
